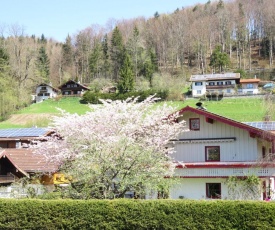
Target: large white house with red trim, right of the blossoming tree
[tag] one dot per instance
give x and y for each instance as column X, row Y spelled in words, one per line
column 216, row 148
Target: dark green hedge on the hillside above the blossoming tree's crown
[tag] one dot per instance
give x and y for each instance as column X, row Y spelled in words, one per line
column 93, row 98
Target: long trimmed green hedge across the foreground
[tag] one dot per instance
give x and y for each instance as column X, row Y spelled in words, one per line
column 136, row 214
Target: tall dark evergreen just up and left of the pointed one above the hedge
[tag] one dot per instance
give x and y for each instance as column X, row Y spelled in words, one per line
column 117, row 51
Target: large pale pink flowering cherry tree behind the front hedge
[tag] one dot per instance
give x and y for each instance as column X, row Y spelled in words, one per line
column 118, row 146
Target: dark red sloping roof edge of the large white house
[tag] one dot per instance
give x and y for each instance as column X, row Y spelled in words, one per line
column 253, row 131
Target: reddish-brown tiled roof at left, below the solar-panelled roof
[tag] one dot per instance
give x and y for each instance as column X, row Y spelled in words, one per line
column 26, row 161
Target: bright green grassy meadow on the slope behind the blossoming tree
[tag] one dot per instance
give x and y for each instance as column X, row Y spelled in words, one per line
column 240, row 109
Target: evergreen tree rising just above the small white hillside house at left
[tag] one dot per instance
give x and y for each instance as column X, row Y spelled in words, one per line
column 43, row 65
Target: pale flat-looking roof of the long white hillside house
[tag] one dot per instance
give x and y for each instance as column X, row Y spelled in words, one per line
column 211, row 77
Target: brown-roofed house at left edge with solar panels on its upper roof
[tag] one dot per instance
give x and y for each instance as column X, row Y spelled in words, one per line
column 18, row 160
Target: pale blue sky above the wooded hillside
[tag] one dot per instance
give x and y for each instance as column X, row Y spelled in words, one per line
column 59, row 18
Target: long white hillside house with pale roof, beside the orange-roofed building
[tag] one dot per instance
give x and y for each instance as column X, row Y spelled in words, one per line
column 216, row 84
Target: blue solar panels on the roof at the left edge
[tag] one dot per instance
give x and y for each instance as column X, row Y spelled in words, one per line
column 23, row 132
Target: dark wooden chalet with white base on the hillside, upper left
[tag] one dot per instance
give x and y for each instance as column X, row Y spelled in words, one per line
column 73, row 88
